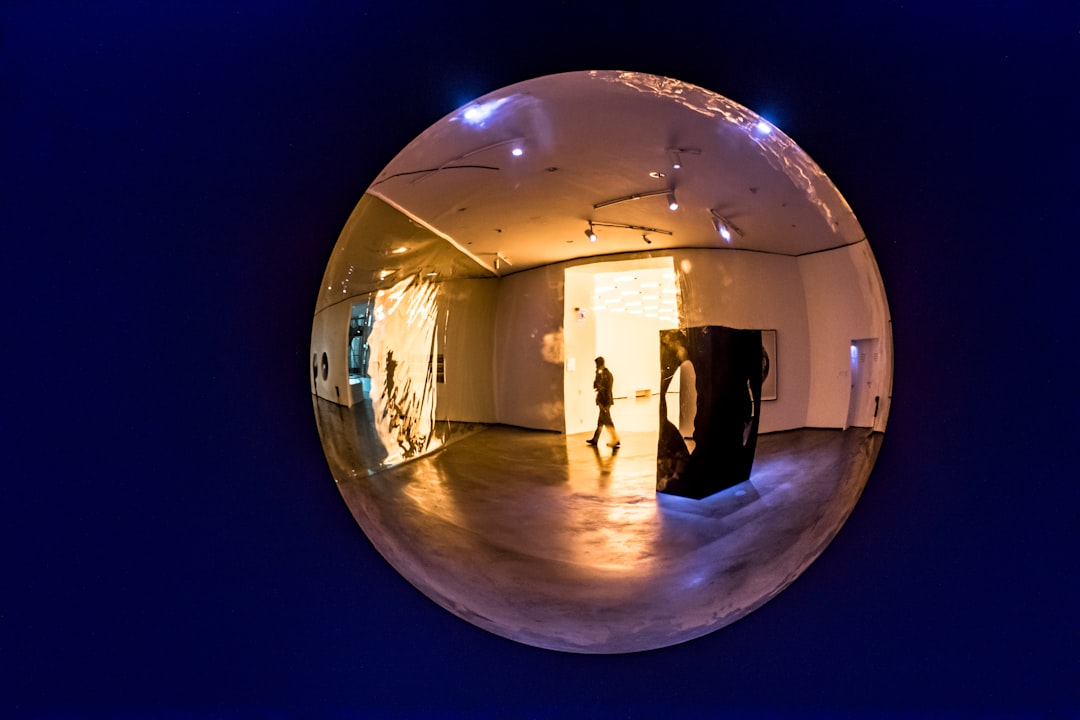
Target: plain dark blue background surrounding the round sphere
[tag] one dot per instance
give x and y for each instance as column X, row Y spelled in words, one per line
column 174, row 176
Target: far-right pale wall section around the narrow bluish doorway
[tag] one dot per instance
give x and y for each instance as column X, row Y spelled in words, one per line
column 846, row 302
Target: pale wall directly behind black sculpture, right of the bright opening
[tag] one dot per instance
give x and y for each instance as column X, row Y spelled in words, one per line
column 754, row 292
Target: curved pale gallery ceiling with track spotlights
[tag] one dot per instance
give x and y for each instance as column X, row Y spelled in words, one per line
column 592, row 138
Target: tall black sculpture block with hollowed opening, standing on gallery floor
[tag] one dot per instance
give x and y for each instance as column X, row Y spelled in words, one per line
column 726, row 369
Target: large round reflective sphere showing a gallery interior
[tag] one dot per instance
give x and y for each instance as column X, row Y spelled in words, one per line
column 606, row 362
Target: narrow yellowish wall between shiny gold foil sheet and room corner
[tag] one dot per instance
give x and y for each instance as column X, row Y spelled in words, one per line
column 466, row 332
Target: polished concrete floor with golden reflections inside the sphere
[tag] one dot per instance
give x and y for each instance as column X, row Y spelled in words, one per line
column 545, row 540
